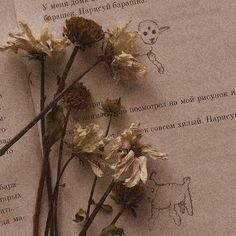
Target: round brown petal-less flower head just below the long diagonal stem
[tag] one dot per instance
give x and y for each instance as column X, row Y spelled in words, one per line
column 78, row 97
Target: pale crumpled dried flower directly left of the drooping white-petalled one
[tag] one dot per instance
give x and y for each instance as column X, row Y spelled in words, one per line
column 88, row 144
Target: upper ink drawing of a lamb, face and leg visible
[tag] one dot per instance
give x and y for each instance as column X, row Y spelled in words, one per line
column 149, row 32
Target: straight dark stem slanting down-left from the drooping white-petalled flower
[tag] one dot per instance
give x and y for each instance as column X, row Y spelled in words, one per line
column 97, row 209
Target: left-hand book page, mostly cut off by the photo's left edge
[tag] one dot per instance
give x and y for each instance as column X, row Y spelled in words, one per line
column 19, row 169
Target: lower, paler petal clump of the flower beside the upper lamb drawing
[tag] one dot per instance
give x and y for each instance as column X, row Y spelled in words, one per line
column 125, row 68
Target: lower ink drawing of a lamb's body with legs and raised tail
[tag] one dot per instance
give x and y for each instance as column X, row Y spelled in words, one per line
column 171, row 197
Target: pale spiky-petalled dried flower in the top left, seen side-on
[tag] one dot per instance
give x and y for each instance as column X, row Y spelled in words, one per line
column 36, row 47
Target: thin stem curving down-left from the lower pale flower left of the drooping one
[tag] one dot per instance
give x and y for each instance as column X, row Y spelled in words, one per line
column 50, row 212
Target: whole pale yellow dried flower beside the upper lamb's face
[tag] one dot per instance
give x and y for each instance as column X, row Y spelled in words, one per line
column 121, row 54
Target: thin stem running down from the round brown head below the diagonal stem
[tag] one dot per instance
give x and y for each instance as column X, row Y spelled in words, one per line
column 59, row 169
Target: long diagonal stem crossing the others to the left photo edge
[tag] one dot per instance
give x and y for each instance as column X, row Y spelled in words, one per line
column 46, row 109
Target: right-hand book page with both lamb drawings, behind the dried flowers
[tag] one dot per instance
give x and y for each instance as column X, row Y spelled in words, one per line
column 186, row 105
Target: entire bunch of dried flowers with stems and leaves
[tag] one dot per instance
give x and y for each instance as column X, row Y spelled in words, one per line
column 123, row 159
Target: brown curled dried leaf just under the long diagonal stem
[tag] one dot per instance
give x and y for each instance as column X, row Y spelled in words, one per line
column 55, row 124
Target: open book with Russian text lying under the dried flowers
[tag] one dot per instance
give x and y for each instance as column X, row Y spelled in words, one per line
column 185, row 104
